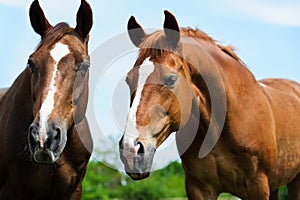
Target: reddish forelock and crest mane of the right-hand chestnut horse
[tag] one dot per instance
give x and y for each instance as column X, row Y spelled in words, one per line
column 156, row 44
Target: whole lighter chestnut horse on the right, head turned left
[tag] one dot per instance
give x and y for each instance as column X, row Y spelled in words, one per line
column 179, row 83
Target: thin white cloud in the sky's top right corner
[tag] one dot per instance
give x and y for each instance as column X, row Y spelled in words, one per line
column 286, row 13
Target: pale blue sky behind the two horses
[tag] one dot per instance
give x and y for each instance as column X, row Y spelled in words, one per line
column 266, row 33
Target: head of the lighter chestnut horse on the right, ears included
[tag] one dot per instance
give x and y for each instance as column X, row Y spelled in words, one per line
column 161, row 95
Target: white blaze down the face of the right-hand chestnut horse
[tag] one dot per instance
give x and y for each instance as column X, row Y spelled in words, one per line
column 131, row 132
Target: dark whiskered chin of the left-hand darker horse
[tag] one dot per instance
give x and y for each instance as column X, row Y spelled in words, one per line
column 45, row 156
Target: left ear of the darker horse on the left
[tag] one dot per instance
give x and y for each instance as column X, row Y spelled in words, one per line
column 38, row 20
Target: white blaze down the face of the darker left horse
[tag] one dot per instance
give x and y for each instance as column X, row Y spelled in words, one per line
column 57, row 53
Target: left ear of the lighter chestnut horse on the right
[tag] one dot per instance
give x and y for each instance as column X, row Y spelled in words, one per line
column 135, row 31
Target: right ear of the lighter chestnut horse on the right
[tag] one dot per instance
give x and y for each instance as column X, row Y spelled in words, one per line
column 171, row 29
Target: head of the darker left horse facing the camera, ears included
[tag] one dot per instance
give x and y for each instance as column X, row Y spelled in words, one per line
column 59, row 81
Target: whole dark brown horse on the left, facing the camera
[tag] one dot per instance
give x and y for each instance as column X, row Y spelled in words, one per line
column 44, row 136
